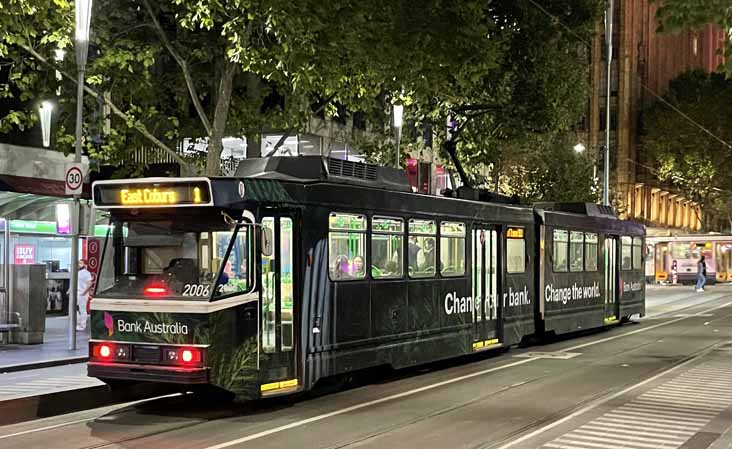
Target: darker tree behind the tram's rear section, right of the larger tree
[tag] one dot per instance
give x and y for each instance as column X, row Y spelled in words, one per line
column 534, row 90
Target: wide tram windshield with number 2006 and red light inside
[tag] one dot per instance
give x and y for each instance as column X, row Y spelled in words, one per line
column 175, row 258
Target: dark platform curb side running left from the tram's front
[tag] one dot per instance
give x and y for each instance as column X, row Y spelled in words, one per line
column 14, row 411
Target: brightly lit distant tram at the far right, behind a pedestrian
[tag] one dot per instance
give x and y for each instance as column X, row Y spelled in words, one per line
column 684, row 252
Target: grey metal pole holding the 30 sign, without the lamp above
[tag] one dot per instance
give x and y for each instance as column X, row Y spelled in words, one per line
column 75, row 214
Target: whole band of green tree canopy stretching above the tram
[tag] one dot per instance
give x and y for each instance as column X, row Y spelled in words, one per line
column 174, row 69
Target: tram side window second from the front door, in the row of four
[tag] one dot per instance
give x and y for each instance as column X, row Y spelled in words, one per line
column 387, row 247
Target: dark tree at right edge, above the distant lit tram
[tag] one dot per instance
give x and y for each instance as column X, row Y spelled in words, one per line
column 696, row 163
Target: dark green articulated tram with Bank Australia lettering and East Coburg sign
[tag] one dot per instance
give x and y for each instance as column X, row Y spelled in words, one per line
column 299, row 269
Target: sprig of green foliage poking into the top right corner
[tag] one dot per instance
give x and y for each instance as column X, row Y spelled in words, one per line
column 676, row 15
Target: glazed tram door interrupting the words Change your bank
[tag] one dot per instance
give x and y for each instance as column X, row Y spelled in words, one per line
column 484, row 285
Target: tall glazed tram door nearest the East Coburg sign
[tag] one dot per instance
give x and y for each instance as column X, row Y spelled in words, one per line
column 278, row 323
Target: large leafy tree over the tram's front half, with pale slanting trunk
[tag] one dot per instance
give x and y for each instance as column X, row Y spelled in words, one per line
column 175, row 68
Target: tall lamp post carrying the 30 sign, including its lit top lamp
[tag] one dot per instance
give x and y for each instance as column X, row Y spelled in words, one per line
column 83, row 20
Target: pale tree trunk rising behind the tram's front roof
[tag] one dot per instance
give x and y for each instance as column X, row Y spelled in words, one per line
column 218, row 128
